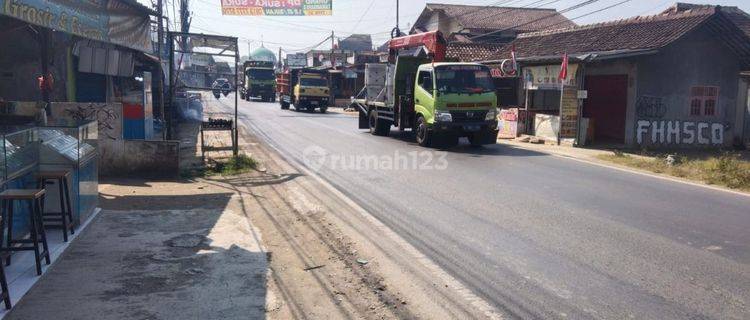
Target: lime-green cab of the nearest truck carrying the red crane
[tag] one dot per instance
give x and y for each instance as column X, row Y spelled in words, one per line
column 453, row 100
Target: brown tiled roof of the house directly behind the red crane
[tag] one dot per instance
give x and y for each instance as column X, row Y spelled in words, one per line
column 496, row 18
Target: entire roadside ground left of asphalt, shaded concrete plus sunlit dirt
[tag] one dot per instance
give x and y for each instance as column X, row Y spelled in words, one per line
column 272, row 243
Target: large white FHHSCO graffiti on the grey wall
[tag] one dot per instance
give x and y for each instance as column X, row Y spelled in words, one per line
column 674, row 132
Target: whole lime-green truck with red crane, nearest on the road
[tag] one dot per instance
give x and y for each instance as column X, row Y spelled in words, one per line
column 439, row 101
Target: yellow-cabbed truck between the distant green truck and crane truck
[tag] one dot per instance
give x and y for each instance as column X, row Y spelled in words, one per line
column 306, row 89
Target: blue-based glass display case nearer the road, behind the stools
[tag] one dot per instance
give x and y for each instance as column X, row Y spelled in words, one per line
column 72, row 147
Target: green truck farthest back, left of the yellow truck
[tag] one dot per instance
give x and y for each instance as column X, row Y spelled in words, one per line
column 259, row 81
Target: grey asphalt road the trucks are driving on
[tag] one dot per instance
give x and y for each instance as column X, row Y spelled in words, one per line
column 537, row 236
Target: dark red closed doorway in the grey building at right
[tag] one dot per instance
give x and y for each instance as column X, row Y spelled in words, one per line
column 606, row 106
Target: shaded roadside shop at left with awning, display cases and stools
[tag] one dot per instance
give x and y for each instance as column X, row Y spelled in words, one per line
column 56, row 88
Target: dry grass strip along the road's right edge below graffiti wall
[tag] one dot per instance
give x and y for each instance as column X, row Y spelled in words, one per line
column 728, row 169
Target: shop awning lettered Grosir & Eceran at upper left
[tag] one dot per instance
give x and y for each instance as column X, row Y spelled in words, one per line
column 101, row 20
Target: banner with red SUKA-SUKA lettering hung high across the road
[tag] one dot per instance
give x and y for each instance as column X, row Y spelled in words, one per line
column 277, row 7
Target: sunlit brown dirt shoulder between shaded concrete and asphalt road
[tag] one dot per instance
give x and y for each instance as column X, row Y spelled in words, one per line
column 326, row 260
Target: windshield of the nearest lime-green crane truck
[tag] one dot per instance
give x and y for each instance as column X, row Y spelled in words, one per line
column 464, row 79
